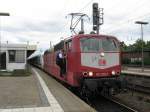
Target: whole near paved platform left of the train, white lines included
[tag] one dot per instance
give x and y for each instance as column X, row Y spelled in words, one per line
column 56, row 97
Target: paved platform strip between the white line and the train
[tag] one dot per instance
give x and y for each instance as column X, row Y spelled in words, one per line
column 68, row 101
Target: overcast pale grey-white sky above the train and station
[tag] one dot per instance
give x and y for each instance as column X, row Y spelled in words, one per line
column 42, row 21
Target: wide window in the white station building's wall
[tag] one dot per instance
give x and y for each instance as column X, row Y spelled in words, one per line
column 16, row 56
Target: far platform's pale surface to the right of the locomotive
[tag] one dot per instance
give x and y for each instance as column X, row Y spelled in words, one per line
column 136, row 71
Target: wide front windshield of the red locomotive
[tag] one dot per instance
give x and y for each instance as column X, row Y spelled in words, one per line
column 97, row 44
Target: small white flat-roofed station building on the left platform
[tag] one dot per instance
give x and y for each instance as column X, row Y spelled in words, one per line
column 14, row 56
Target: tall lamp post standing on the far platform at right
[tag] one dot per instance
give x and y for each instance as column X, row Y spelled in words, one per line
column 142, row 23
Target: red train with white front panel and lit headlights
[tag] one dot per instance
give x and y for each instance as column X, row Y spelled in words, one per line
column 92, row 62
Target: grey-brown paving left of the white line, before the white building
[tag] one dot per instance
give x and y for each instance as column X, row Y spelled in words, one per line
column 19, row 91
